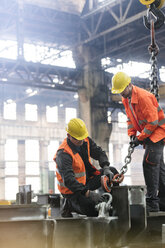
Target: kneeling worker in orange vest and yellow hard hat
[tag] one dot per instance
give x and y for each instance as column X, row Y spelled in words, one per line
column 77, row 177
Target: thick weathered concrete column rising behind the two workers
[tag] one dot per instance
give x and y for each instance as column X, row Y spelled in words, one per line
column 93, row 96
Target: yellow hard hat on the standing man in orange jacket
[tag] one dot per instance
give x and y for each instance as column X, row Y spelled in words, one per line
column 119, row 82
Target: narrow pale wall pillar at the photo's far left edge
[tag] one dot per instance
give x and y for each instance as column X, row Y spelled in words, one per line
column 2, row 169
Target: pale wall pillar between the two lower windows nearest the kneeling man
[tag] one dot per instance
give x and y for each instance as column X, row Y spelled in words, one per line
column 44, row 169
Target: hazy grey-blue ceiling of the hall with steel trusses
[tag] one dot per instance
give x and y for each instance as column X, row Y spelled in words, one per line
column 113, row 27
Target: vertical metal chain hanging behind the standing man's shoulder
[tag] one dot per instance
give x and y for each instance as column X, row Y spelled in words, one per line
column 154, row 49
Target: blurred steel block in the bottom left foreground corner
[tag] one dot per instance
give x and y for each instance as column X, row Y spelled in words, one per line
column 27, row 234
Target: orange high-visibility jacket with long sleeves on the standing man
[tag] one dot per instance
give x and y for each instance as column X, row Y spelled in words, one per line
column 144, row 115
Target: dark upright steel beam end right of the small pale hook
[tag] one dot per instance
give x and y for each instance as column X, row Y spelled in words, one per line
column 130, row 206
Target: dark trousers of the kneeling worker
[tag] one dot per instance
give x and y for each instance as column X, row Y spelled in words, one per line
column 86, row 205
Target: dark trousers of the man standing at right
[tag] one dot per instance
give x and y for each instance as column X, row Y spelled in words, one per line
column 154, row 175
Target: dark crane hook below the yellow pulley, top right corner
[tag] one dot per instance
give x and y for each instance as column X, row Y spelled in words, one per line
column 156, row 13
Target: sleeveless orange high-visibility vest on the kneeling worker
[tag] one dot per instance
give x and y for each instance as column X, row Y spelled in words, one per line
column 77, row 165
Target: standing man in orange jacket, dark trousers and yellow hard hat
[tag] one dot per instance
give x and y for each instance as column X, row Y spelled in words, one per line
column 146, row 117
